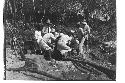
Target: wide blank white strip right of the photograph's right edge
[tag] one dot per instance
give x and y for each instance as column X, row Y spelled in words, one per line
column 120, row 41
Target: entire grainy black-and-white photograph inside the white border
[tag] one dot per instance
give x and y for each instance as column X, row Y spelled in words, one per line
column 60, row 40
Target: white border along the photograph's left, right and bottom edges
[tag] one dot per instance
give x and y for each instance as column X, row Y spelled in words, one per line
column 120, row 46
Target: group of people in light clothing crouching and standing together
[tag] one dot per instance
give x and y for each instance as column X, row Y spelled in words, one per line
column 49, row 40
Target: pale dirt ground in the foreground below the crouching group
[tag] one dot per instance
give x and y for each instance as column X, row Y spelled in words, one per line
column 40, row 69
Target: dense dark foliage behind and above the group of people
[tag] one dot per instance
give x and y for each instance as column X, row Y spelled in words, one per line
column 99, row 14
